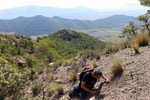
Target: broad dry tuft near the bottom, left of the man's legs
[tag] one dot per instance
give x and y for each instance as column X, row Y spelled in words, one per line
column 55, row 88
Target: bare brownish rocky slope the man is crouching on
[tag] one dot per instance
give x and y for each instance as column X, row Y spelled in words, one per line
column 133, row 84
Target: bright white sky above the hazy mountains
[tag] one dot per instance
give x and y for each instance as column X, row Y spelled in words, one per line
column 98, row 4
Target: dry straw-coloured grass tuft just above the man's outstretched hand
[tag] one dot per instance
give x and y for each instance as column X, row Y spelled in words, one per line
column 116, row 67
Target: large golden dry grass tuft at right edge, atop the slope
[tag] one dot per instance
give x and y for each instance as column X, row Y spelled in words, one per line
column 141, row 39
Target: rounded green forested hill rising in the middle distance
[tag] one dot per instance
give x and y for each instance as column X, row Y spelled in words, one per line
column 69, row 42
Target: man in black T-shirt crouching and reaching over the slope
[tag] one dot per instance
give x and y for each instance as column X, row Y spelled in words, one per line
column 86, row 85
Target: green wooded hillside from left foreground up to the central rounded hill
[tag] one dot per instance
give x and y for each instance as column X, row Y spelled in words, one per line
column 22, row 59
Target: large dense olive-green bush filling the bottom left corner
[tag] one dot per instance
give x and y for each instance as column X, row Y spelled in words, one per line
column 12, row 80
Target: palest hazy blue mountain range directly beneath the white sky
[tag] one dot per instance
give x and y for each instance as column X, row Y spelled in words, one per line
column 71, row 13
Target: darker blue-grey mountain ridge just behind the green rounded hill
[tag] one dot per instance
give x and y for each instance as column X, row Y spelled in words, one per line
column 38, row 25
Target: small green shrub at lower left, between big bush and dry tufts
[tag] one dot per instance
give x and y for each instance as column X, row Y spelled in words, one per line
column 37, row 87
